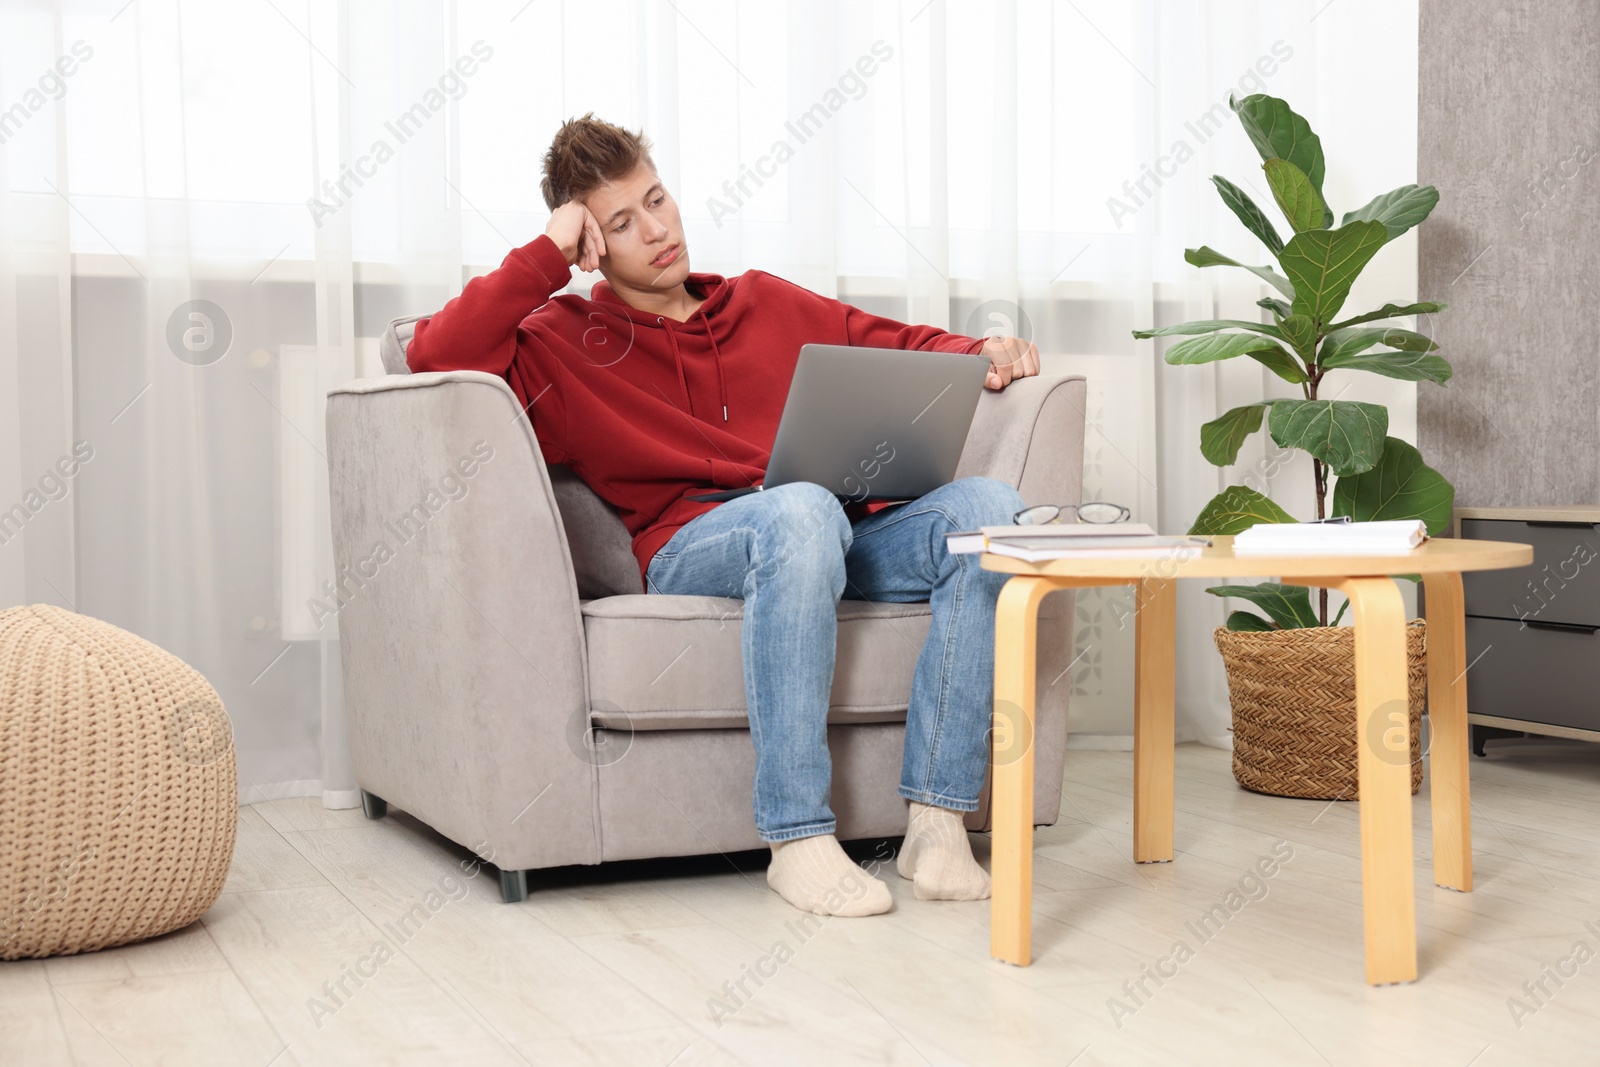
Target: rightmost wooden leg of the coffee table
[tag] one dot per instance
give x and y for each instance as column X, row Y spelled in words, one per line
column 1449, row 735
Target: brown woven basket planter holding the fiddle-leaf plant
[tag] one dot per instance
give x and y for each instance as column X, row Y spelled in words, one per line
column 1294, row 695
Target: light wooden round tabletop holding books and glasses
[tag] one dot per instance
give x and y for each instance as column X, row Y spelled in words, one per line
column 1433, row 557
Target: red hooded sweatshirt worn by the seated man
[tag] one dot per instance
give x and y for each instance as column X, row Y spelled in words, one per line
column 644, row 409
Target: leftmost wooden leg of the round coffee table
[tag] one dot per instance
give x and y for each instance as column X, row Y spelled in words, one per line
column 1012, row 793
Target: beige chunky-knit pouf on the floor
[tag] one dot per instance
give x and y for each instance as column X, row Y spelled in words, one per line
column 119, row 796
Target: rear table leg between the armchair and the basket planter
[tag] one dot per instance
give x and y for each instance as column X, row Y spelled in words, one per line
column 1153, row 721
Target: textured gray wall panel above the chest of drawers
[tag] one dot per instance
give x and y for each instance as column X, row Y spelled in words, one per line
column 1510, row 108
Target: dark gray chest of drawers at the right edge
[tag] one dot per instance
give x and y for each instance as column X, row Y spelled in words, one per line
column 1534, row 634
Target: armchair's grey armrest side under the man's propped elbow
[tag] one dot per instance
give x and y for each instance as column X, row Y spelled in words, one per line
column 460, row 631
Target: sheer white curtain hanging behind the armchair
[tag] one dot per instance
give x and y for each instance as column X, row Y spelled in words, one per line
column 212, row 210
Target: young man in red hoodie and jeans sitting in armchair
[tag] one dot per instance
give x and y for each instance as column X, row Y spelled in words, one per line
column 666, row 385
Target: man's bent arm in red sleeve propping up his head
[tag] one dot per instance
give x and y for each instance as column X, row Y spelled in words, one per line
column 478, row 330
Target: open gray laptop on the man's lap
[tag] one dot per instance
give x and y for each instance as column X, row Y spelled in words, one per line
column 873, row 425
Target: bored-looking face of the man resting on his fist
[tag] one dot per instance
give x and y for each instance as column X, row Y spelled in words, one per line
column 641, row 223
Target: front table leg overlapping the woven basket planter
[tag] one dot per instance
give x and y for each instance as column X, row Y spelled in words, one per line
column 1385, row 780
